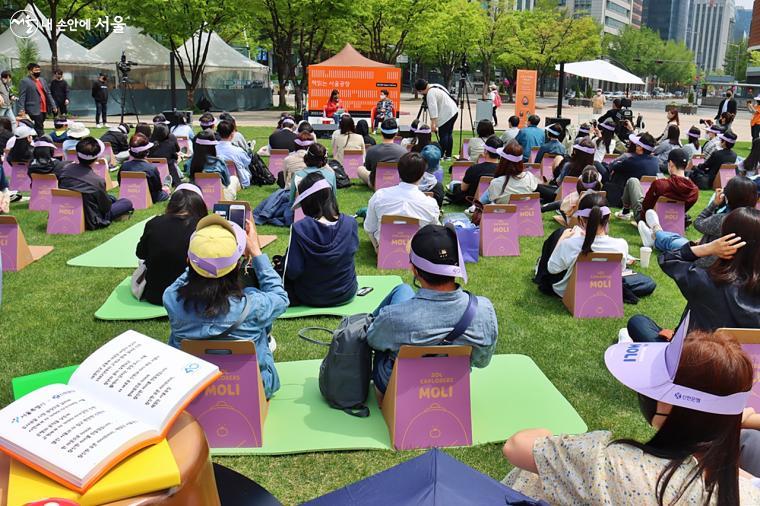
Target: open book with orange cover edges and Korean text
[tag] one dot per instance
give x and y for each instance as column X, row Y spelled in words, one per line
column 122, row 398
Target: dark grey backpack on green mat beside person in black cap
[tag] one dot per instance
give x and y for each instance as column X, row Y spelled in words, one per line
column 346, row 371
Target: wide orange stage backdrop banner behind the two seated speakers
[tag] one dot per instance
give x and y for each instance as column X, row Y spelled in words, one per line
column 359, row 87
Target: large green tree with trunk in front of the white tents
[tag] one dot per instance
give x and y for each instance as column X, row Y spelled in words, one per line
column 176, row 21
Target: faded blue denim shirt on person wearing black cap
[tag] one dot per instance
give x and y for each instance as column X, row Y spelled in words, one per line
column 427, row 318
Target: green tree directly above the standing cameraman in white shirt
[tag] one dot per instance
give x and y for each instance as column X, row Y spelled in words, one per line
column 449, row 36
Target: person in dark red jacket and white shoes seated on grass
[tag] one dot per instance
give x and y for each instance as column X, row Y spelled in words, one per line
column 676, row 187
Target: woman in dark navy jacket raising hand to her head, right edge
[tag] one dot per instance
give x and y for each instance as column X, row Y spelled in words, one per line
column 724, row 295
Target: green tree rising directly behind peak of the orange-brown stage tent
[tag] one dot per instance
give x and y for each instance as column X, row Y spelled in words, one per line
column 383, row 26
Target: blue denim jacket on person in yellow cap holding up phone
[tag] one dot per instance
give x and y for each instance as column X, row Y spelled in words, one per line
column 266, row 304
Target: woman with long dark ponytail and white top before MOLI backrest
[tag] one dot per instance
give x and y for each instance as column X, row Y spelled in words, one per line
column 562, row 248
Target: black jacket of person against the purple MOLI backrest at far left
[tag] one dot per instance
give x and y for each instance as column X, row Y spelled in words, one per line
column 97, row 205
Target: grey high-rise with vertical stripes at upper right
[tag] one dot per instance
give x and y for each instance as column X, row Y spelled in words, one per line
column 710, row 28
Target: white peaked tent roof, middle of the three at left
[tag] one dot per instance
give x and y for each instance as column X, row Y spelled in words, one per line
column 137, row 46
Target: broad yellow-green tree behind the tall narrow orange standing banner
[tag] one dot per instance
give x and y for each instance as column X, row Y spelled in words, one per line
column 547, row 35
